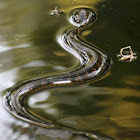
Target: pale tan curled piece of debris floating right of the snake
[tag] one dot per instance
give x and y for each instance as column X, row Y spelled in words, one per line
column 127, row 55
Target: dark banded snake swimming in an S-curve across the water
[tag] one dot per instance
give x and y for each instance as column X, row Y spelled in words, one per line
column 94, row 64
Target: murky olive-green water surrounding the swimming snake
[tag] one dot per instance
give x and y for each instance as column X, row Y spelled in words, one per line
column 29, row 49
